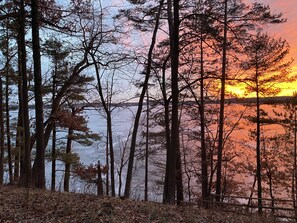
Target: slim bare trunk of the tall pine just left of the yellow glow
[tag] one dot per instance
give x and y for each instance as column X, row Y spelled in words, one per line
column 222, row 110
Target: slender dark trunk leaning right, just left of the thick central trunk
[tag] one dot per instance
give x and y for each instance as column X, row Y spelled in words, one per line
column 140, row 104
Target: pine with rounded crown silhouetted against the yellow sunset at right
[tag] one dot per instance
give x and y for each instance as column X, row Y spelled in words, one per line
column 265, row 66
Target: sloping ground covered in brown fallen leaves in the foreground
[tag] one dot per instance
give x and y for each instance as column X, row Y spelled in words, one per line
column 24, row 205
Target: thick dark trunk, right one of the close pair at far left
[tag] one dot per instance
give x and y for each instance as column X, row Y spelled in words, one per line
column 39, row 174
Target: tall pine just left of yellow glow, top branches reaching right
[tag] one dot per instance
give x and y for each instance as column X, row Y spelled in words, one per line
column 242, row 19
